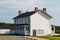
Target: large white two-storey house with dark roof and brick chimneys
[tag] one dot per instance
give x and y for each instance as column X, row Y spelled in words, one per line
column 33, row 23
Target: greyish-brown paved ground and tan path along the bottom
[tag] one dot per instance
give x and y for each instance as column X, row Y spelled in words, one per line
column 19, row 38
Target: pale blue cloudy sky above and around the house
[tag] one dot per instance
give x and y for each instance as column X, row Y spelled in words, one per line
column 10, row 8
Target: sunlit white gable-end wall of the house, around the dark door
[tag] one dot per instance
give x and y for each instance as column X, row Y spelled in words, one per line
column 40, row 23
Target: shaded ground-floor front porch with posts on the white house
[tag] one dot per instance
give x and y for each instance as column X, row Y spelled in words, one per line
column 21, row 29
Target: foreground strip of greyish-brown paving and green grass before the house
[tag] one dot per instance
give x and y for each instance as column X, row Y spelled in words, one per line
column 14, row 37
